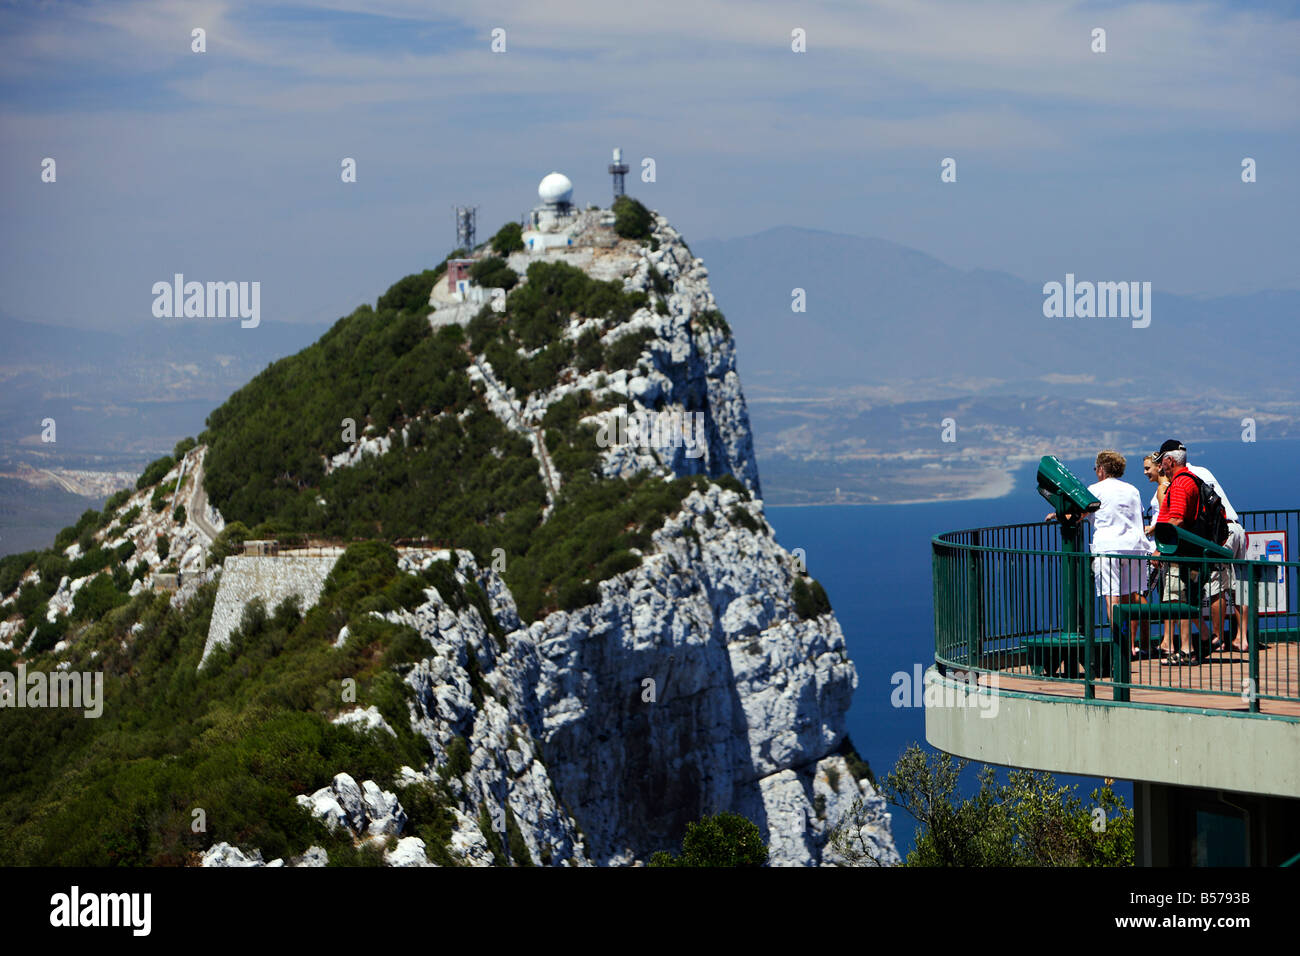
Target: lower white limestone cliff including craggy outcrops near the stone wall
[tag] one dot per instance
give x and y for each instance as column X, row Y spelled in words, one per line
column 691, row 687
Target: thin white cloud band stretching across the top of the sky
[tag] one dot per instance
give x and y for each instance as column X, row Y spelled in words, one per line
column 1199, row 62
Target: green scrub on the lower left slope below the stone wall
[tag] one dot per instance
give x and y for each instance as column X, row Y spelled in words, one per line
column 240, row 741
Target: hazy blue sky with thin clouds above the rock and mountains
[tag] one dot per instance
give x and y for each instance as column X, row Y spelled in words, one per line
column 226, row 166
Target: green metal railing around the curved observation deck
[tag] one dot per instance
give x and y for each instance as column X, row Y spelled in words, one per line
column 999, row 608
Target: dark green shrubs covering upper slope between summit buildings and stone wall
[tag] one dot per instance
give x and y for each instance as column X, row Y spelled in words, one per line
column 462, row 478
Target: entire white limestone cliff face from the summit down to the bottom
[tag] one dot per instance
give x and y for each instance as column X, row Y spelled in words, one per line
column 694, row 686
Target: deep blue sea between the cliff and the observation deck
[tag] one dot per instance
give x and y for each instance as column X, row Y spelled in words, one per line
column 876, row 565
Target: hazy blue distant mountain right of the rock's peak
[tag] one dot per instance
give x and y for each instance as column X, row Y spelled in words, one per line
column 882, row 313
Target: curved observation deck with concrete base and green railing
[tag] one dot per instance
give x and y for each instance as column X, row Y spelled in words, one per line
column 1032, row 673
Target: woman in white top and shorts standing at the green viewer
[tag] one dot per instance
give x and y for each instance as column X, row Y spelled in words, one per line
column 1119, row 530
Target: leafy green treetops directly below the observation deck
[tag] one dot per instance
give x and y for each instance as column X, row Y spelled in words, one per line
column 1029, row 821
